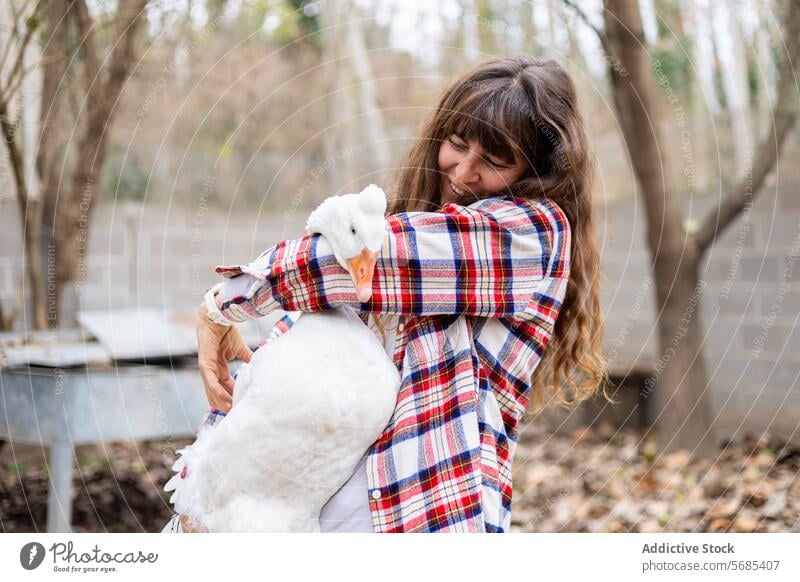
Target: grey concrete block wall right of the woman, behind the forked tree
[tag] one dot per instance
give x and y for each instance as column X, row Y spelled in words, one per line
column 749, row 308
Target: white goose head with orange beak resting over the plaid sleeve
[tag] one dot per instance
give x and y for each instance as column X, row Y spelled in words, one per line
column 355, row 226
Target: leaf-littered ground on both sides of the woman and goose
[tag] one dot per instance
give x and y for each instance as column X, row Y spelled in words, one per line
column 597, row 479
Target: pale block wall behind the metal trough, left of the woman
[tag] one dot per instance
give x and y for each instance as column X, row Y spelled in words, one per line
column 152, row 256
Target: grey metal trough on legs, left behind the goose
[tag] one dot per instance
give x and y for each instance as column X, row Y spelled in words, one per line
column 77, row 394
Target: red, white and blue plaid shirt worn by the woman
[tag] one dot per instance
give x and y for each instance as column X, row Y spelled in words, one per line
column 476, row 291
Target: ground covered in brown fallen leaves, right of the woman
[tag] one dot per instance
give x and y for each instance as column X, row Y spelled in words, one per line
column 602, row 480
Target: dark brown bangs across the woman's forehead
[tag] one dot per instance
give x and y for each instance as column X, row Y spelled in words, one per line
column 493, row 118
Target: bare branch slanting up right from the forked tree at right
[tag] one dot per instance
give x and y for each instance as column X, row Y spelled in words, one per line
column 783, row 118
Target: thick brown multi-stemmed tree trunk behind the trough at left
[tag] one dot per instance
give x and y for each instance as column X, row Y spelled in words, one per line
column 68, row 207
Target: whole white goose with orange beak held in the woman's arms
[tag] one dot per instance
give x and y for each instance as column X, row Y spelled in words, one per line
column 305, row 409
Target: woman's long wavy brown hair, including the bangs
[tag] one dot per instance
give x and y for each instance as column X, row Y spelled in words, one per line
column 525, row 108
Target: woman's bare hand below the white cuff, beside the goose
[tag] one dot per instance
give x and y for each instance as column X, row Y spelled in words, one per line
column 216, row 346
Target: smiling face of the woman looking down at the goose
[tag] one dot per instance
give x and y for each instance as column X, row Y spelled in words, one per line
column 470, row 174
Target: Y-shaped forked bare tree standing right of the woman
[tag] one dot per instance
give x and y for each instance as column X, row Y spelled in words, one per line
column 684, row 412
